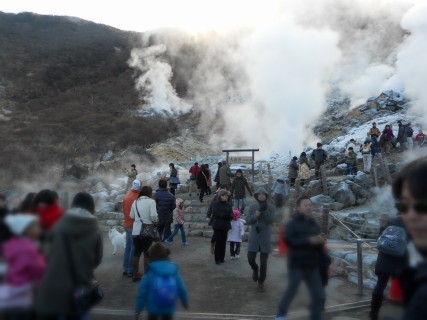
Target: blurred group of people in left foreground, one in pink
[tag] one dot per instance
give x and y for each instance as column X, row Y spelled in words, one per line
column 49, row 253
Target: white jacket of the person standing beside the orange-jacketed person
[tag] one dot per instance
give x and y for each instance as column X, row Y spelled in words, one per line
column 147, row 211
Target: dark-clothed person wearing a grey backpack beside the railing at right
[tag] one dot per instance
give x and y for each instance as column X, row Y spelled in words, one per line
column 388, row 265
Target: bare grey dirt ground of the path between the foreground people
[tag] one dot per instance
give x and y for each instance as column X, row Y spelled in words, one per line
column 223, row 289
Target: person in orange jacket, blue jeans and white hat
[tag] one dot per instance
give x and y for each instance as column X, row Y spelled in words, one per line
column 128, row 201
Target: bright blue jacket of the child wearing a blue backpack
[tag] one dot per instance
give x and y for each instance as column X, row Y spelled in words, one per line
column 145, row 299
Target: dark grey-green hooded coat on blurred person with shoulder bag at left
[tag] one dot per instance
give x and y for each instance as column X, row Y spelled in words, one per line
column 80, row 229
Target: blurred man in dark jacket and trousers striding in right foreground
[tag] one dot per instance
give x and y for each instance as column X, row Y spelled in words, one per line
column 305, row 246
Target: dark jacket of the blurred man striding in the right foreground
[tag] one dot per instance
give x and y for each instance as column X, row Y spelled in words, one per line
column 302, row 254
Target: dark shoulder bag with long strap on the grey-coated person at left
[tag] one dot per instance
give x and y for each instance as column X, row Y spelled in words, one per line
column 84, row 296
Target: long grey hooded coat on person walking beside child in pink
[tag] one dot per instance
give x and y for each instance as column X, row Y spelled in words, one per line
column 260, row 241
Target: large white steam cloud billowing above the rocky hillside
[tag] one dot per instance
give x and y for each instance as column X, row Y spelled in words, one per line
column 264, row 85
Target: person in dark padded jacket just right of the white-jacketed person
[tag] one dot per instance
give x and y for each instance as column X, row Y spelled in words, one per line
column 165, row 204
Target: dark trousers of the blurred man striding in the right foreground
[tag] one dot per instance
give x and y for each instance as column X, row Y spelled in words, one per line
column 314, row 284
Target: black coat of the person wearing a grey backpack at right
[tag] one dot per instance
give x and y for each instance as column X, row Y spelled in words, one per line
column 389, row 265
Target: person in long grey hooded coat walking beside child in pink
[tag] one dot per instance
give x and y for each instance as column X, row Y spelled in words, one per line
column 260, row 217
